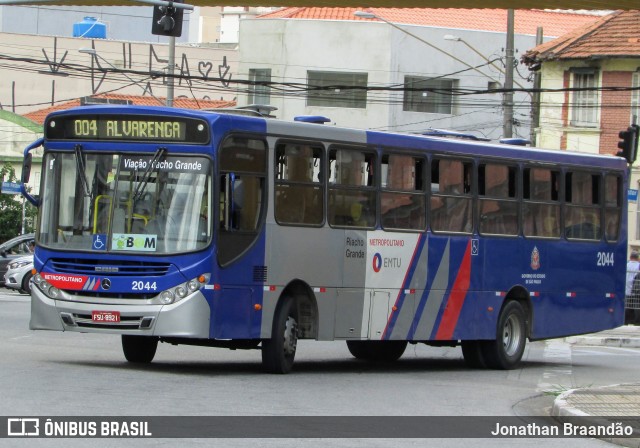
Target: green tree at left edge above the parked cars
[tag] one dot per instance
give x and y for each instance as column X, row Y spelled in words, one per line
column 11, row 209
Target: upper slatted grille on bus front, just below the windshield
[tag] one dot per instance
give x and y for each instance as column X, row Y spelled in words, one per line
column 112, row 268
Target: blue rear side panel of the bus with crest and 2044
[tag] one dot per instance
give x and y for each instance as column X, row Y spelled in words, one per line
column 562, row 303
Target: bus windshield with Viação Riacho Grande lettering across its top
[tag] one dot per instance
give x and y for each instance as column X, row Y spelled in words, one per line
column 156, row 204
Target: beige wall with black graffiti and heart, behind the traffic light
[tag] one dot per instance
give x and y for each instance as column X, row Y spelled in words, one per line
column 33, row 81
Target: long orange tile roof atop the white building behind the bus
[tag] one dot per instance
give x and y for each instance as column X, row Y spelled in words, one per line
column 526, row 21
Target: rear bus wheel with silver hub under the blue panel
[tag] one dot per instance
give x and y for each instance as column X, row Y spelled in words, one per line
column 505, row 352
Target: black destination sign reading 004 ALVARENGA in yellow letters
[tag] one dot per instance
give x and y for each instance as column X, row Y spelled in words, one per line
column 130, row 128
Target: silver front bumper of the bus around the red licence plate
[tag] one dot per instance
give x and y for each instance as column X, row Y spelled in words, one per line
column 189, row 317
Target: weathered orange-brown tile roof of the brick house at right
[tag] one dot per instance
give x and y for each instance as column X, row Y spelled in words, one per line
column 615, row 35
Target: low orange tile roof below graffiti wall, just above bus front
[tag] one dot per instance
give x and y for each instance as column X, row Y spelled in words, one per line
column 38, row 116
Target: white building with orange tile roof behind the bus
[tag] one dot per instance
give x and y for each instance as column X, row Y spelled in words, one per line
column 444, row 55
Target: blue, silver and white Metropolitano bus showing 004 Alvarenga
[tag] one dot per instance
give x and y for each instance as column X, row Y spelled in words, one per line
column 223, row 230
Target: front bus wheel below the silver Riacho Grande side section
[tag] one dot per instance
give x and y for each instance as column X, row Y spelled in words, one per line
column 279, row 352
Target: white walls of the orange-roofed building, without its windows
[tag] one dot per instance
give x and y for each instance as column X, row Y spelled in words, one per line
column 292, row 47
